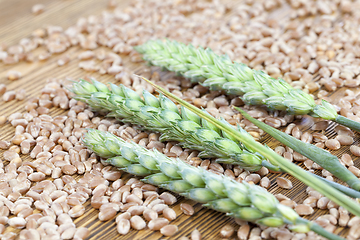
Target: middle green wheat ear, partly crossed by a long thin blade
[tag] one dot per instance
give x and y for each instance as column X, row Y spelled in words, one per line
column 162, row 115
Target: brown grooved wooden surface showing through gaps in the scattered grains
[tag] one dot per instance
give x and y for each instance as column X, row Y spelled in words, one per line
column 17, row 22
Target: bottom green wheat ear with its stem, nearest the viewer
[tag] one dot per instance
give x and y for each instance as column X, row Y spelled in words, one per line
column 240, row 200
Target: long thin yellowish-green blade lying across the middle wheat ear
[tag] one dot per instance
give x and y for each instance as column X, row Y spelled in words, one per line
column 328, row 191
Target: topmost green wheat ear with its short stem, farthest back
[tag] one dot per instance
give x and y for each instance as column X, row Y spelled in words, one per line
column 220, row 73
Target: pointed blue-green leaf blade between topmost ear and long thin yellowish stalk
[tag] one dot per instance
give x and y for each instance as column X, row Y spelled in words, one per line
column 318, row 155
